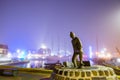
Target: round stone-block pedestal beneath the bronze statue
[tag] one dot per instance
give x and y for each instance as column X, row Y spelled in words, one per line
column 85, row 73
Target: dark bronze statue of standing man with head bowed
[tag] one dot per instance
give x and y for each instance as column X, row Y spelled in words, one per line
column 77, row 47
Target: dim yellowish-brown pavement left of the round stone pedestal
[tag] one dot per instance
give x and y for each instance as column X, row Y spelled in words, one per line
column 26, row 76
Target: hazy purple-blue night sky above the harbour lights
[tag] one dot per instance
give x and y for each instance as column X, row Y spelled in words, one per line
column 26, row 24
